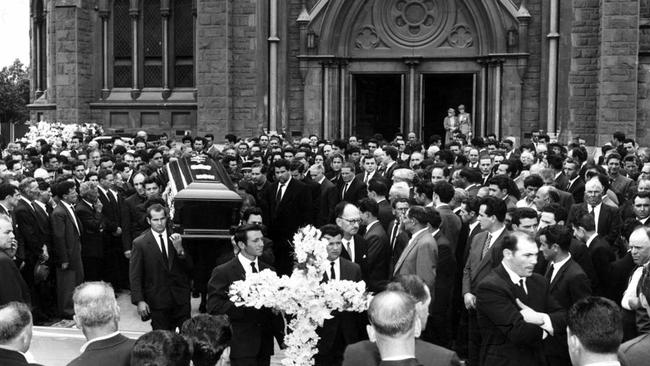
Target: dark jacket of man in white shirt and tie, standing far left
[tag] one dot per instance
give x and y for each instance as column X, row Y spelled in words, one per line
column 66, row 239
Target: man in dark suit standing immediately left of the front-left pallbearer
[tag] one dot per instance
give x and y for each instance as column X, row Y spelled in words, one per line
column 116, row 266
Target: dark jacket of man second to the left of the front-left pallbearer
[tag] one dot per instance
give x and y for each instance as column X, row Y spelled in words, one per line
column 92, row 241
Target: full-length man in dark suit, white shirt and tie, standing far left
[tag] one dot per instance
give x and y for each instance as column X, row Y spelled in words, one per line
column 66, row 251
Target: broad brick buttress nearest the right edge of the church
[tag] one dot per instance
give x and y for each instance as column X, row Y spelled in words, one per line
column 619, row 52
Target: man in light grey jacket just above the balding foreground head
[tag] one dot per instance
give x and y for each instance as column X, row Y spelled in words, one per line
column 420, row 257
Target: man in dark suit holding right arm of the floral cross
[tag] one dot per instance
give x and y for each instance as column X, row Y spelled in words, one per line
column 342, row 329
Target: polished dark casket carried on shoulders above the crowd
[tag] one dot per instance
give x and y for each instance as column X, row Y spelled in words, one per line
column 205, row 203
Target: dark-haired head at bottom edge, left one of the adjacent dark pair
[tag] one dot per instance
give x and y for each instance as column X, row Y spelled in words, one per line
column 161, row 348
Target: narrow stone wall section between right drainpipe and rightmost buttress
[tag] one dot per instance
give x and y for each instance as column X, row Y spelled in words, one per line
column 583, row 75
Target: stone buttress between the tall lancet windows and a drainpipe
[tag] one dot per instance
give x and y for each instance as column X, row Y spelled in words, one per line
column 212, row 60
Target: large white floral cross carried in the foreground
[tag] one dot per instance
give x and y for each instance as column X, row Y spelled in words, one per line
column 302, row 295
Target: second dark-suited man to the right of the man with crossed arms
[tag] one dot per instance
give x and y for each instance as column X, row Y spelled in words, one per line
column 601, row 253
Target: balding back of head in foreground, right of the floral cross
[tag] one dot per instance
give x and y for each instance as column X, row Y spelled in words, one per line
column 392, row 314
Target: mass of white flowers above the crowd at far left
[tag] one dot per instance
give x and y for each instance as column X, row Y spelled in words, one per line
column 54, row 133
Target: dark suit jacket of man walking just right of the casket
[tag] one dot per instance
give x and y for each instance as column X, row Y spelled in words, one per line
column 285, row 217
